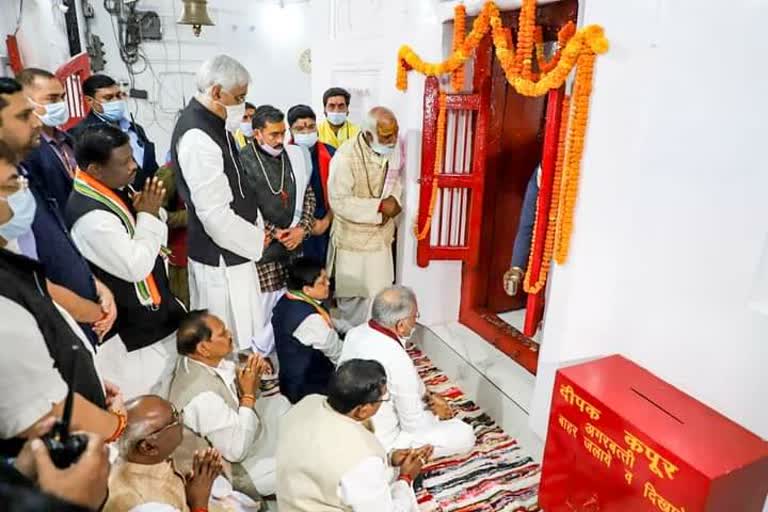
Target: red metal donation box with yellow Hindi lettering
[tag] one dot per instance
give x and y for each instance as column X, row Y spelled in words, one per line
column 622, row 440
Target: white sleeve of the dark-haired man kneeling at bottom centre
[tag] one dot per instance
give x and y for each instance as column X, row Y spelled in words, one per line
column 366, row 488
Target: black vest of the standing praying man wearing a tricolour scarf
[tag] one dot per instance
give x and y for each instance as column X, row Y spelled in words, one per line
column 138, row 326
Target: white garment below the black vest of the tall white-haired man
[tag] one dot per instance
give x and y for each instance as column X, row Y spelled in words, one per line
column 231, row 293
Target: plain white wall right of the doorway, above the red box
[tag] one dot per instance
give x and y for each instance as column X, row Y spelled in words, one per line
column 672, row 211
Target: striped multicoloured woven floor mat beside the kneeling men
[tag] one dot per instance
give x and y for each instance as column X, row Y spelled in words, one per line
column 496, row 476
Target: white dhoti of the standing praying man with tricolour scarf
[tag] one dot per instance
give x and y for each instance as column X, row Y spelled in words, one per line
column 139, row 372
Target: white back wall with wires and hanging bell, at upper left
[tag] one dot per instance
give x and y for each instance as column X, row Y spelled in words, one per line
column 266, row 38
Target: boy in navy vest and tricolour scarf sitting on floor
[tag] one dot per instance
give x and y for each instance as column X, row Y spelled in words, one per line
column 308, row 346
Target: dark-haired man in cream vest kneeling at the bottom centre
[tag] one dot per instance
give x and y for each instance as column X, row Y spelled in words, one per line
column 327, row 457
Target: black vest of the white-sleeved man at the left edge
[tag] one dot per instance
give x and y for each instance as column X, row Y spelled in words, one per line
column 22, row 280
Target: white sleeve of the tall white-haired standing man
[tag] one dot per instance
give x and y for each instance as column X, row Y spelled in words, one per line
column 202, row 164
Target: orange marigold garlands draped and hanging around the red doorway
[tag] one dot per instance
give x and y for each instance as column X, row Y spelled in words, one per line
column 576, row 49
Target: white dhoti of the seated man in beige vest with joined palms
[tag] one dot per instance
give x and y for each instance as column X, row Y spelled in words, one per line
column 261, row 464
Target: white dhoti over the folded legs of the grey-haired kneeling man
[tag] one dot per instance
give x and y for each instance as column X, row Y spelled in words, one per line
column 450, row 437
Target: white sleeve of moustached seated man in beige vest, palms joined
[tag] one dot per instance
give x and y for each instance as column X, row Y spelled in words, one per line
column 231, row 432
